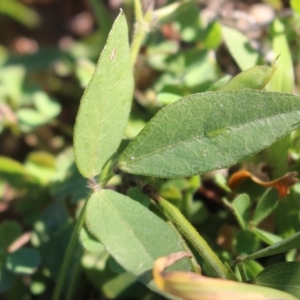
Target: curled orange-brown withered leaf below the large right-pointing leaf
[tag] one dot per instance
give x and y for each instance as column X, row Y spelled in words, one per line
column 282, row 184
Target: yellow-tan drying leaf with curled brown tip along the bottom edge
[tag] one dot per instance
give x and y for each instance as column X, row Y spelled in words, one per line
column 192, row 286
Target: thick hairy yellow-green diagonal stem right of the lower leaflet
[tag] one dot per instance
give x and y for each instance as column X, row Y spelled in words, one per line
column 191, row 234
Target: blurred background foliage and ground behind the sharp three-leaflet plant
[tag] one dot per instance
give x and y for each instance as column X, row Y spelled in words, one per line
column 48, row 51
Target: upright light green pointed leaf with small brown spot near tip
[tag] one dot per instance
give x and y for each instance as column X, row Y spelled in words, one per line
column 105, row 104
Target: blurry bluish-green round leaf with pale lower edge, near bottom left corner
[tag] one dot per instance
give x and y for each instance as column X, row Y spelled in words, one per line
column 23, row 261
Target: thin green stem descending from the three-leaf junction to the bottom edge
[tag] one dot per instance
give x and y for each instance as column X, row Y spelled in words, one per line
column 69, row 254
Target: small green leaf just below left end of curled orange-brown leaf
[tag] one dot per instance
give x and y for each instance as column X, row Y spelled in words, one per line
column 241, row 209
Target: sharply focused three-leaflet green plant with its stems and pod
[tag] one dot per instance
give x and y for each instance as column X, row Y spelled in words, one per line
column 196, row 134
